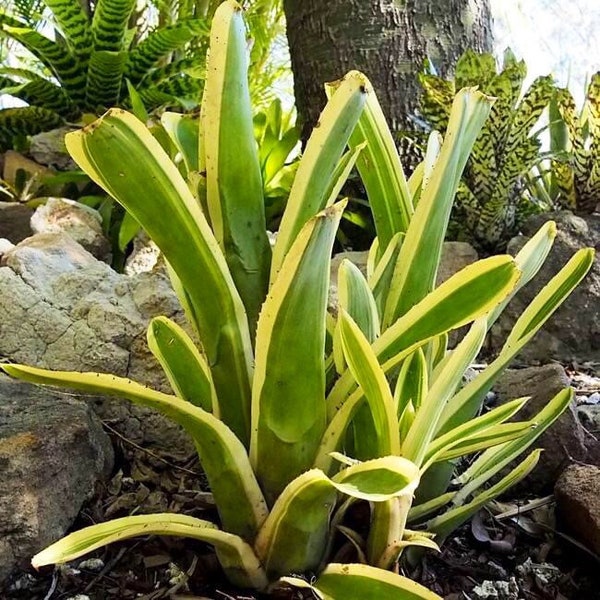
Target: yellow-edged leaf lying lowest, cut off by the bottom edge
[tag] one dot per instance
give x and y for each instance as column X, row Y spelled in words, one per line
column 358, row 582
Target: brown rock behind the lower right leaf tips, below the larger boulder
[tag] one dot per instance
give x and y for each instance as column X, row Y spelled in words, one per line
column 564, row 441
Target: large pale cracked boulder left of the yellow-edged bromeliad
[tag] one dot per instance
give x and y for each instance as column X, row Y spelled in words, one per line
column 62, row 309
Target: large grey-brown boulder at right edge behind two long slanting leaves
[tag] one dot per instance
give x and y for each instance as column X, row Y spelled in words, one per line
column 573, row 332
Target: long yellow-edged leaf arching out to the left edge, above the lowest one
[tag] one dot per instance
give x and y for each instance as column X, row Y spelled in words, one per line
column 223, row 457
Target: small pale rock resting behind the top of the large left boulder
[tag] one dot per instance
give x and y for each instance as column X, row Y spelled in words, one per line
column 82, row 223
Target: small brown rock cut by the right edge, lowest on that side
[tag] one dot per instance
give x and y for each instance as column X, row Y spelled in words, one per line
column 577, row 495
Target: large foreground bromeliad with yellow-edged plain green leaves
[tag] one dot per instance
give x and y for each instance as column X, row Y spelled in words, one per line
column 297, row 413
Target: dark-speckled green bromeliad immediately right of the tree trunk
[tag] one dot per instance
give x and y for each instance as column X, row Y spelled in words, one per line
column 490, row 200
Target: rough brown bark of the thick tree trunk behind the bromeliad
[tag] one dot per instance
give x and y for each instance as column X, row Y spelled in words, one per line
column 388, row 40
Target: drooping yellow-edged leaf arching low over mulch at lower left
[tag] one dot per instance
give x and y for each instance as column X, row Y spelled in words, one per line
column 235, row 555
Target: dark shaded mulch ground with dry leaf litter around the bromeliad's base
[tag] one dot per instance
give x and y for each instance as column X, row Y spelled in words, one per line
column 523, row 555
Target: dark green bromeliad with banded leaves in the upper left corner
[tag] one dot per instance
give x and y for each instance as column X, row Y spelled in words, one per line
column 87, row 67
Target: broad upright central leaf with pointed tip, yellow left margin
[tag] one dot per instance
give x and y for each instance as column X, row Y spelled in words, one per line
column 288, row 394
